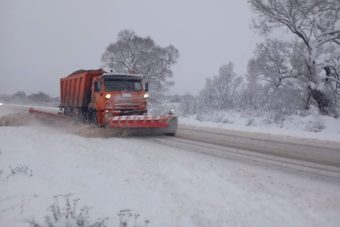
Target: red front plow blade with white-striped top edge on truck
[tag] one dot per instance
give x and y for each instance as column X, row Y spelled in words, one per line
column 151, row 124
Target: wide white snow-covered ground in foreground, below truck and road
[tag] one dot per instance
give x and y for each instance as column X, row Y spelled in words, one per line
column 168, row 186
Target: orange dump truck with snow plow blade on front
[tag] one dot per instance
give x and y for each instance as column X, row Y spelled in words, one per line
column 111, row 100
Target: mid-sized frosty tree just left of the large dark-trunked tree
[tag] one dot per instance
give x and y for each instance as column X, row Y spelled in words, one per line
column 273, row 84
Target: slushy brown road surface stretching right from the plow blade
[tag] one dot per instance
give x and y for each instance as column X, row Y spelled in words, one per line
column 311, row 154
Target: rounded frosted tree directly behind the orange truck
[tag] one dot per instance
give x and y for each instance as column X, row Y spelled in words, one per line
column 134, row 54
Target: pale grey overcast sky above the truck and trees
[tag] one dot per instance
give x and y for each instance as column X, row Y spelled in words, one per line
column 43, row 40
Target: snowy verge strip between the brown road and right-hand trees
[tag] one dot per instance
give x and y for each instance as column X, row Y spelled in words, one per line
column 312, row 125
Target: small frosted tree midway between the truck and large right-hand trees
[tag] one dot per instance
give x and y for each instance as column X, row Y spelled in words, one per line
column 220, row 91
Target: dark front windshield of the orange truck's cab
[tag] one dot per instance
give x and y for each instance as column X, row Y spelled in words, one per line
column 123, row 85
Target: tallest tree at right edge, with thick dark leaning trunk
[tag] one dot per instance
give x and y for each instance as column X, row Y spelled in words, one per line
column 316, row 24
